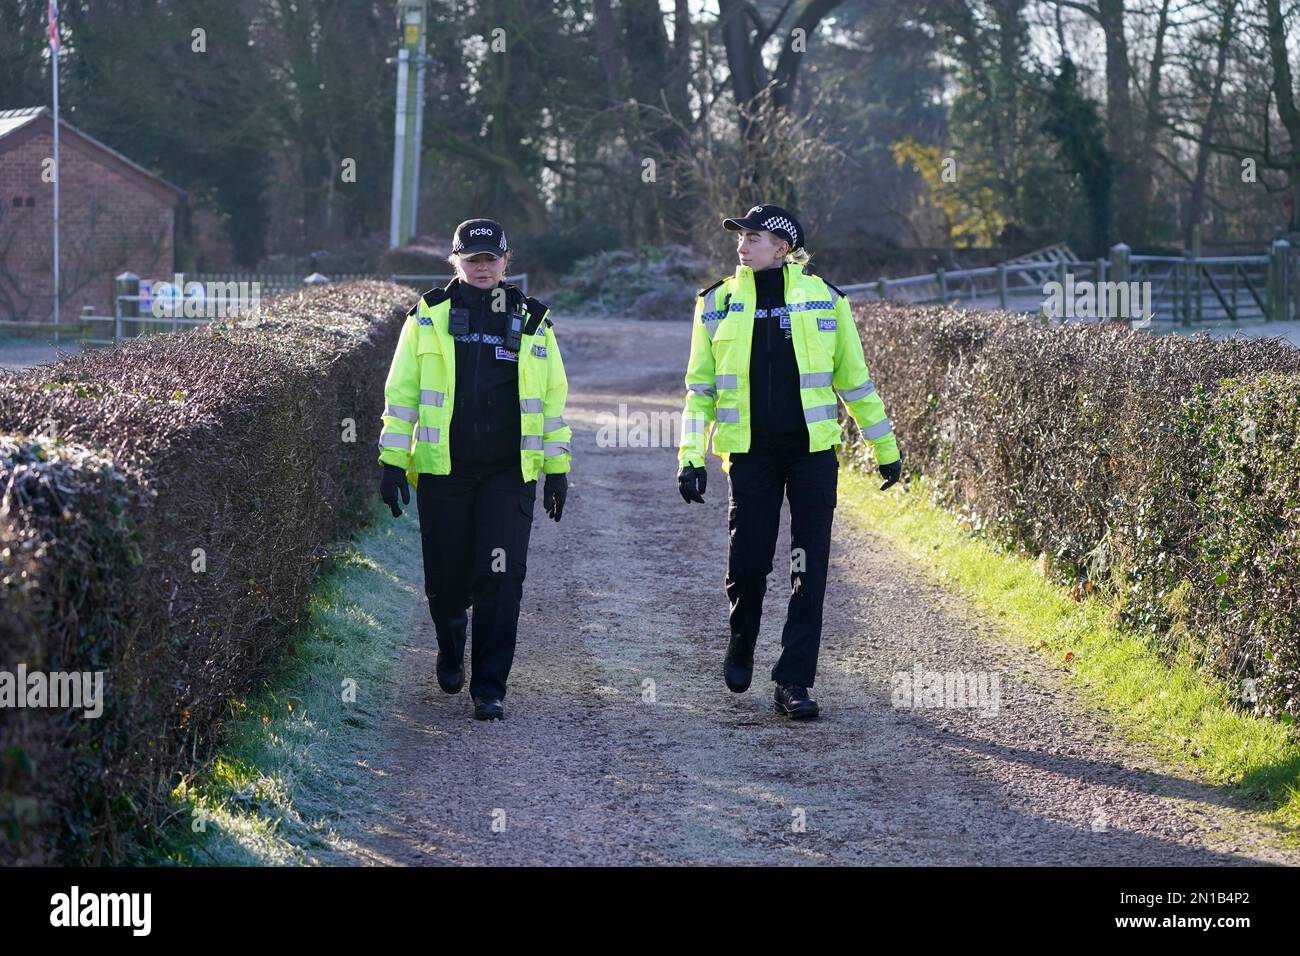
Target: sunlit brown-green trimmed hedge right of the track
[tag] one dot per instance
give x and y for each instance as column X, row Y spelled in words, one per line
column 1162, row 469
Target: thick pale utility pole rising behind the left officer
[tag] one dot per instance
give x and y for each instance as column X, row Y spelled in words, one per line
column 409, row 123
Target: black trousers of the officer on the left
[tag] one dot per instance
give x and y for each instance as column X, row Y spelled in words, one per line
column 475, row 526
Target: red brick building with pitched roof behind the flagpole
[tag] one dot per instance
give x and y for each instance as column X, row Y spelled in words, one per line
column 115, row 217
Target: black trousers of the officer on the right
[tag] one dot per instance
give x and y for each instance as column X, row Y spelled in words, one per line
column 759, row 482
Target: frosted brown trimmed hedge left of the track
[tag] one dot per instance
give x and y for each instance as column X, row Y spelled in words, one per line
column 164, row 508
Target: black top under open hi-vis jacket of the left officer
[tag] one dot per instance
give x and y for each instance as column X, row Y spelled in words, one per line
column 486, row 418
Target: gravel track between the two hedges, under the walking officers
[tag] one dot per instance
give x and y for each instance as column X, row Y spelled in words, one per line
column 629, row 589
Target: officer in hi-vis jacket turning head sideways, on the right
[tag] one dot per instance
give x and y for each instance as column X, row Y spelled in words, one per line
column 772, row 349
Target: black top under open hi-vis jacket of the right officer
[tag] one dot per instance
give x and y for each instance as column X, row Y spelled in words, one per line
column 777, row 414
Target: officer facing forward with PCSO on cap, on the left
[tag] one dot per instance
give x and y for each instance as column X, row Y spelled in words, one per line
column 475, row 404
